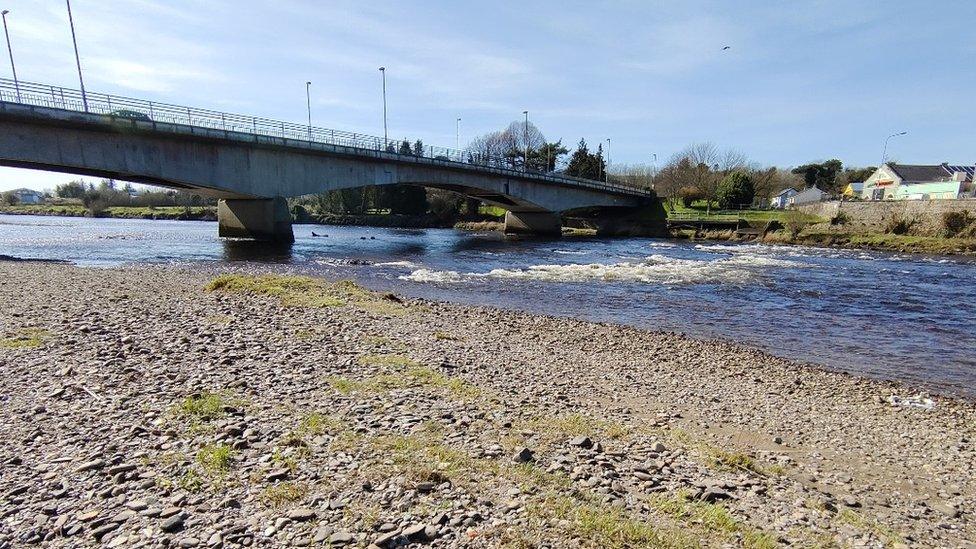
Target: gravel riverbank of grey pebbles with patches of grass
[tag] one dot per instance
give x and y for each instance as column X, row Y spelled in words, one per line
column 141, row 409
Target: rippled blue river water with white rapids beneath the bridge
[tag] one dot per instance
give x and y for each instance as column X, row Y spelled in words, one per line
column 900, row 317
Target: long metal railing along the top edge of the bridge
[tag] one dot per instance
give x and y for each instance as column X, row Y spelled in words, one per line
column 57, row 97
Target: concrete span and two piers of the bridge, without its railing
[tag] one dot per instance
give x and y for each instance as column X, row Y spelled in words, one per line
column 253, row 174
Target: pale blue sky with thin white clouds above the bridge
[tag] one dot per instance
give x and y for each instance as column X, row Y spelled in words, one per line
column 802, row 81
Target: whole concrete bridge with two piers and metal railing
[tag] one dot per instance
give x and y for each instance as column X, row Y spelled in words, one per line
column 252, row 164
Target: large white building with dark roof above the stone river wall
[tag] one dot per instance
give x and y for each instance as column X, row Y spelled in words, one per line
column 894, row 181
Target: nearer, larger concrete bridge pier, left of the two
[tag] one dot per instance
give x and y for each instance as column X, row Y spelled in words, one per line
column 266, row 219
